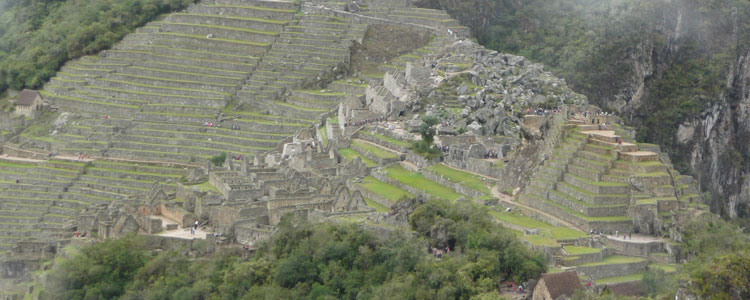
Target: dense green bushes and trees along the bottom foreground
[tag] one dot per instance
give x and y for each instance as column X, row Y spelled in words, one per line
column 311, row 261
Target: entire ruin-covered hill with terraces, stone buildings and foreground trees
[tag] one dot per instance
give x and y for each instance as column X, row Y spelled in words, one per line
column 315, row 149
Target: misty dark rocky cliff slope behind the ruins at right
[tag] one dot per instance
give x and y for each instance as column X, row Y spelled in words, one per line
column 676, row 70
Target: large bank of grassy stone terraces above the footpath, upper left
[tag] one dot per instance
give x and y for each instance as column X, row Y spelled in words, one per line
column 150, row 97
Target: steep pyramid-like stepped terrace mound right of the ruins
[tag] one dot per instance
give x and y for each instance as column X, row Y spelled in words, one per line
column 599, row 183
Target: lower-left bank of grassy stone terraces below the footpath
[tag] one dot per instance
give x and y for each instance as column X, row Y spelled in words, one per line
column 36, row 199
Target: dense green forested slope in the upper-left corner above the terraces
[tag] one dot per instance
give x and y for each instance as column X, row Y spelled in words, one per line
column 38, row 36
